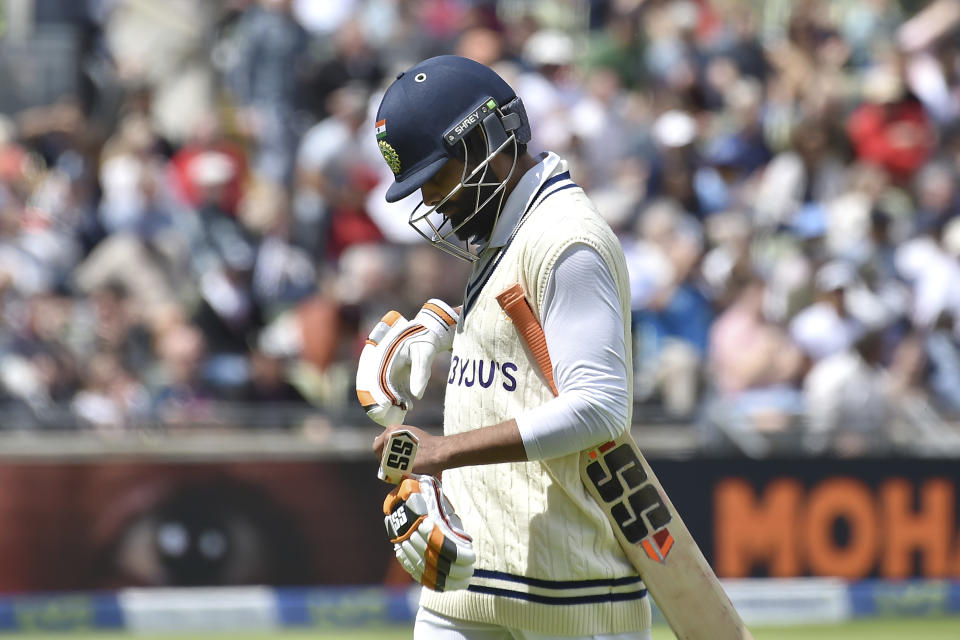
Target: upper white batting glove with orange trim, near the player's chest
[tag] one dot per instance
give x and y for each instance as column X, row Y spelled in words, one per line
column 396, row 361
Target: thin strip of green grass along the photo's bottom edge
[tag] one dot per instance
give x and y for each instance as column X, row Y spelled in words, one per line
column 876, row 629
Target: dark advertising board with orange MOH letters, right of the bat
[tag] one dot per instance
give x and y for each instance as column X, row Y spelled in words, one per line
column 850, row 518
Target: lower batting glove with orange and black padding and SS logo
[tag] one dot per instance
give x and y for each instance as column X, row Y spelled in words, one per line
column 427, row 536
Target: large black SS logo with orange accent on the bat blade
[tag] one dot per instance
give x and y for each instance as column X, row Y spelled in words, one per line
column 637, row 507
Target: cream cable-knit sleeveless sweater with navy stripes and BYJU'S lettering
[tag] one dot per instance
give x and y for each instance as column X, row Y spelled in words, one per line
column 547, row 559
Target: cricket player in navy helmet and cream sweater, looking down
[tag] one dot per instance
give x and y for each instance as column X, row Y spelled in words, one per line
column 511, row 545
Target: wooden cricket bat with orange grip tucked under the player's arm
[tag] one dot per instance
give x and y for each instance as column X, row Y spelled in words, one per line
column 645, row 522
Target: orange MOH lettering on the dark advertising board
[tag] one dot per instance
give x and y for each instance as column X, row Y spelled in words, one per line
column 840, row 526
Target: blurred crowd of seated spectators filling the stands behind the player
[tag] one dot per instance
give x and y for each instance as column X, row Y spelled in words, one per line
column 201, row 219
